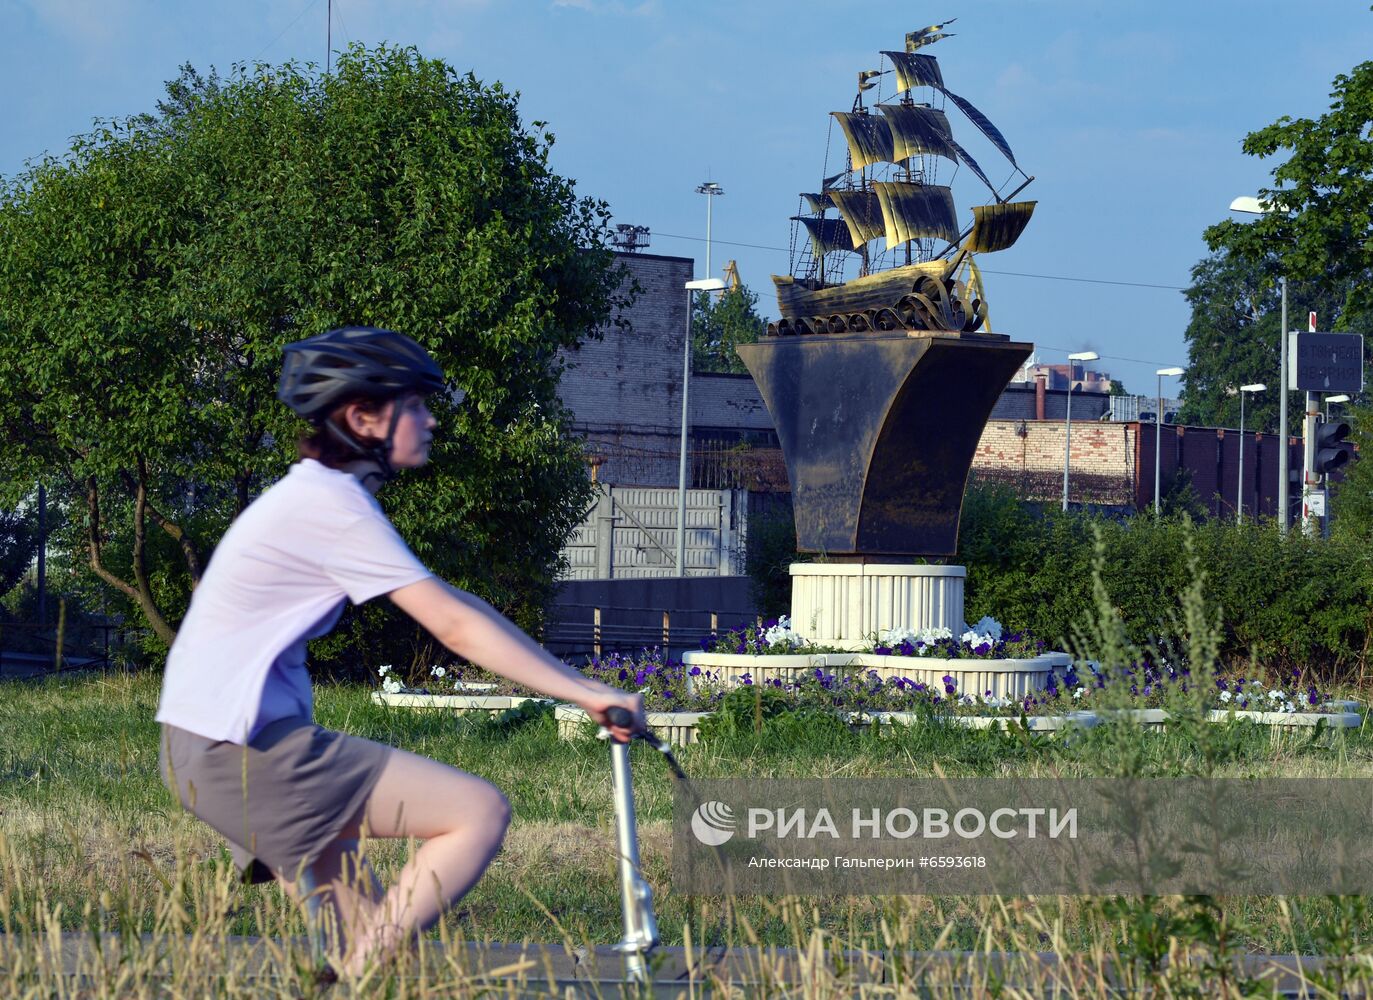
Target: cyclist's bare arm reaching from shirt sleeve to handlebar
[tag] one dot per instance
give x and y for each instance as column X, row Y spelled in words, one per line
column 476, row 631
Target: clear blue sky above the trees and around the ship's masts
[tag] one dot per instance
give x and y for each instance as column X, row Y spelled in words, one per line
column 1129, row 115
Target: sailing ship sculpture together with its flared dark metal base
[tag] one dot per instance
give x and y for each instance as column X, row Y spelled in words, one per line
column 881, row 385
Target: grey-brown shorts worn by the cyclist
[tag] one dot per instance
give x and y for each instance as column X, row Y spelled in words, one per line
column 281, row 800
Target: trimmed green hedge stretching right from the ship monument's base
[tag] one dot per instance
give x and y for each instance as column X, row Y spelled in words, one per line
column 1291, row 602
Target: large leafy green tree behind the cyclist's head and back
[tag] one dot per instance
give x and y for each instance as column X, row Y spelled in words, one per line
column 154, row 273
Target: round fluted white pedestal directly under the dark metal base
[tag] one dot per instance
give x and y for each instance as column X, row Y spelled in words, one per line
column 845, row 605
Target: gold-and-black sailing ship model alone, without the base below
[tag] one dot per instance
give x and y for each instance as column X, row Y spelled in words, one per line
column 889, row 211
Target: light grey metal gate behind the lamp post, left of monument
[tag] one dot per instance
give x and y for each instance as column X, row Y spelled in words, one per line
column 632, row 534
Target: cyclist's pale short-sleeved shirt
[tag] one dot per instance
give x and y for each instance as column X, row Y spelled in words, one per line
column 278, row 579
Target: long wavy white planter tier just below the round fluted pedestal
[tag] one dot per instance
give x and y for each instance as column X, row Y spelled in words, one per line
column 1003, row 678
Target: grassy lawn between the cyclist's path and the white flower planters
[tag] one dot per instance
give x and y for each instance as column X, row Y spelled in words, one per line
column 91, row 841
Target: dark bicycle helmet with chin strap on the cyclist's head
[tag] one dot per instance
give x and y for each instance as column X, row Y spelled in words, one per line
column 325, row 370
